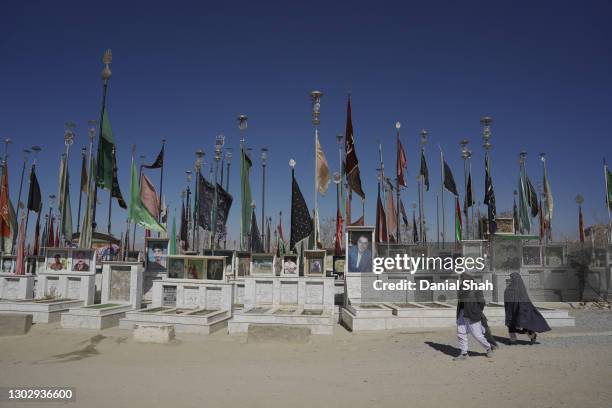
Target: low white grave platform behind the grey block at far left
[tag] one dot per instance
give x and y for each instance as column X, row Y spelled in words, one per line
column 42, row 310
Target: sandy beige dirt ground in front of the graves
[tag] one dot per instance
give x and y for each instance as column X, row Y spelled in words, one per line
column 386, row 369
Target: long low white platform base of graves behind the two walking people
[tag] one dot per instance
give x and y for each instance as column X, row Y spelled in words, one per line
column 388, row 316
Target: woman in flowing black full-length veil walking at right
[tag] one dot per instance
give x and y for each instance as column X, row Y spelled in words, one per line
column 521, row 315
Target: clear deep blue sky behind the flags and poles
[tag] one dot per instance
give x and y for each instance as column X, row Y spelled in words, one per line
column 184, row 71
